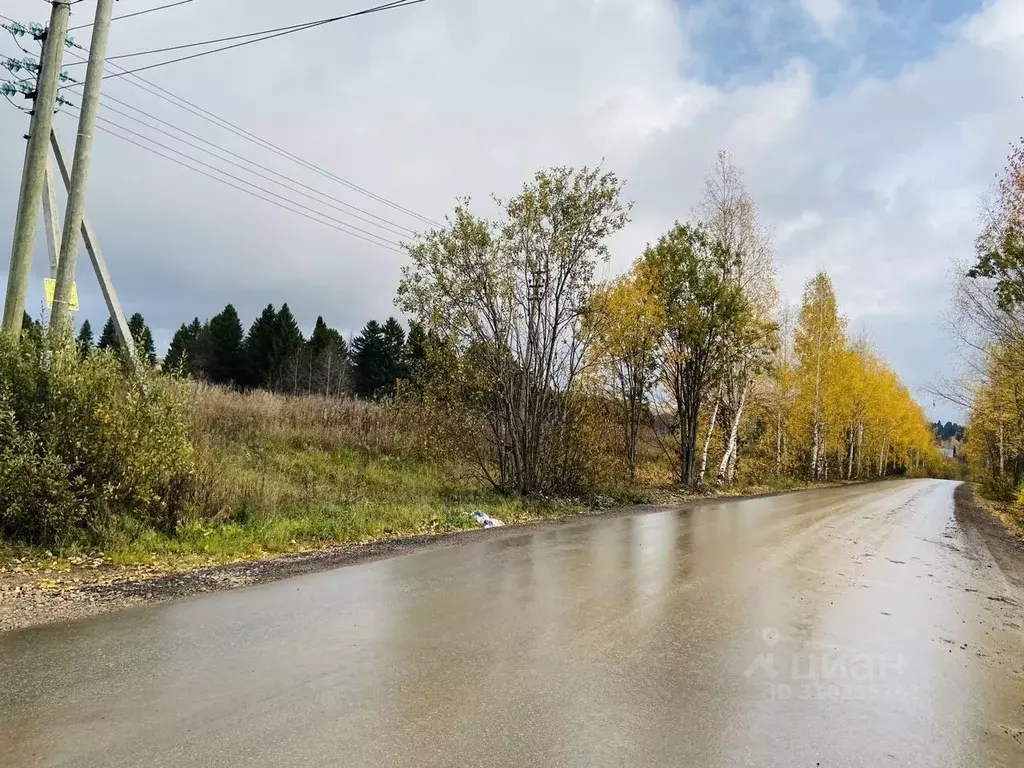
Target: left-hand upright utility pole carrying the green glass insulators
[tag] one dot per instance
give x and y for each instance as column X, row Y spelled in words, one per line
column 31, row 197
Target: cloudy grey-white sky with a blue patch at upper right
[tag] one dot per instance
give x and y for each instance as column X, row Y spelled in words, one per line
column 867, row 130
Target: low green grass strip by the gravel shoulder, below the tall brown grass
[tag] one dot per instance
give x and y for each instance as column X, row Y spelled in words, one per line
column 279, row 501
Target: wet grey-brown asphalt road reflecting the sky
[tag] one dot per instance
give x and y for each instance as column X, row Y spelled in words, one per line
column 852, row 627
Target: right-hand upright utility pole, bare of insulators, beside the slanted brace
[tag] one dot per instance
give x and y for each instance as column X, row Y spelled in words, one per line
column 75, row 211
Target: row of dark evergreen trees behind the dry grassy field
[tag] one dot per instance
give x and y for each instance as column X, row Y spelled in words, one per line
column 275, row 355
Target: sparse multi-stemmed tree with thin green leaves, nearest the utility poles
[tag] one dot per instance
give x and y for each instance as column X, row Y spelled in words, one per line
column 509, row 298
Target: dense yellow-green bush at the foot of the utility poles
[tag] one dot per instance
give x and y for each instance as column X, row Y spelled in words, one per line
column 88, row 443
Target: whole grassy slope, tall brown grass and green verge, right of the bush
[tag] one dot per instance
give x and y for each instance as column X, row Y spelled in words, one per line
column 279, row 475
